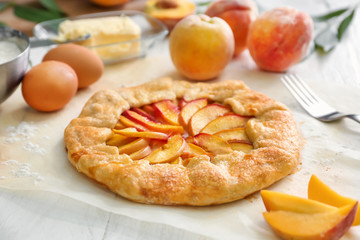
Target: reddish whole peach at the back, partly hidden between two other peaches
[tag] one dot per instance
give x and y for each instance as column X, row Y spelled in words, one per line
column 239, row 14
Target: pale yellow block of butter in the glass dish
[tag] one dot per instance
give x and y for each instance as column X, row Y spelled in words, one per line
column 111, row 37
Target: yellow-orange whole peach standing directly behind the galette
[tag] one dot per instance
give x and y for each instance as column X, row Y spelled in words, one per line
column 201, row 47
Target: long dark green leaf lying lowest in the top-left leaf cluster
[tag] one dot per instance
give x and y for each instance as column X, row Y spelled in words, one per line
column 35, row 14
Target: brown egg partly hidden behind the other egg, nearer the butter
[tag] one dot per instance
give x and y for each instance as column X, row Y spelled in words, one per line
column 87, row 65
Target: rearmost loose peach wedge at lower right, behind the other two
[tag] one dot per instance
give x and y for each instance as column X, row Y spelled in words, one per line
column 319, row 191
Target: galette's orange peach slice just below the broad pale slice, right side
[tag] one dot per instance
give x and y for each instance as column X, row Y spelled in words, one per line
column 225, row 122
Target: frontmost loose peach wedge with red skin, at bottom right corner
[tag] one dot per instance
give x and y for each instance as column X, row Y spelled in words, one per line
column 324, row 225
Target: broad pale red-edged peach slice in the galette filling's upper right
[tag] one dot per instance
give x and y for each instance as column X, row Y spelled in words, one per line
column 205, row 115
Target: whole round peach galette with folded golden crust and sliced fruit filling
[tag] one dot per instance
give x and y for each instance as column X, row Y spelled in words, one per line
column 179, row 143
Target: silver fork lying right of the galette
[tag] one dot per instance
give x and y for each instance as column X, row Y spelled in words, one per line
column 315, row 106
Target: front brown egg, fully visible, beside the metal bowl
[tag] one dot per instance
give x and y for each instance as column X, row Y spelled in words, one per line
column 49, row 86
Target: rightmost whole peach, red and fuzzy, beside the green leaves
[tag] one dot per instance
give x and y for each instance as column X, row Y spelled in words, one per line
column 279, row 38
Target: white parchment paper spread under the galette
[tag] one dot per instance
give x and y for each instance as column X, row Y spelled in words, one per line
column 37, row 160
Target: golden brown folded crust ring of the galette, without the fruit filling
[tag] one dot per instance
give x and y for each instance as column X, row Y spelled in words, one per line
column 226, row 178
